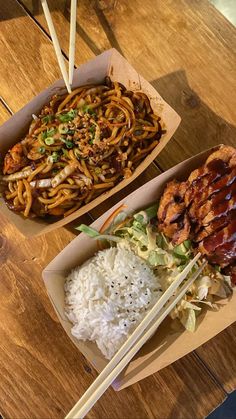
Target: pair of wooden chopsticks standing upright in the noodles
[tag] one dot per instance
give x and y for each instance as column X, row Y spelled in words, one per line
column 60, row 58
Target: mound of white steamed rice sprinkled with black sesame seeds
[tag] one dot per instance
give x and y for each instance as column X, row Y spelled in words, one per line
column 108, row 295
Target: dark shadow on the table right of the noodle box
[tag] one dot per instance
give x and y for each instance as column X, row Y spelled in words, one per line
column 200, row 128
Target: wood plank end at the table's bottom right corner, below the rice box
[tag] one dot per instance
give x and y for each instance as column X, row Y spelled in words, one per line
column 219, row 355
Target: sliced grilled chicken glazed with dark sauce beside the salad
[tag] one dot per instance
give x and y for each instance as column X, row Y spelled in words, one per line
column 204, row 208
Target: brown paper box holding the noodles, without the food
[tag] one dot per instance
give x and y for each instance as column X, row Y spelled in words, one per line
column 109, row 63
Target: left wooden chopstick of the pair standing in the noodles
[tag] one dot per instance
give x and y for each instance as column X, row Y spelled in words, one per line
column 56, row 44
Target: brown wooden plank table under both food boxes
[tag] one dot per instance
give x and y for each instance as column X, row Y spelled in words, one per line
column 186, row 49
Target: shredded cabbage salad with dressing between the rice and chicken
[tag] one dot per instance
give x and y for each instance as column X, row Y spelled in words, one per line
column 139, row 232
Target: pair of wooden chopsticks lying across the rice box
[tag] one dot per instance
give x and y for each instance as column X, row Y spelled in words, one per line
column 139, row 337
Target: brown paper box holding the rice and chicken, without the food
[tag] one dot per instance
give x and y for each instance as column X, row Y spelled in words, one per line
column 167, row 345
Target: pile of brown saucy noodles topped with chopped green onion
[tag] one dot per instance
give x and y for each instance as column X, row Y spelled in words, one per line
column 80, row 145
